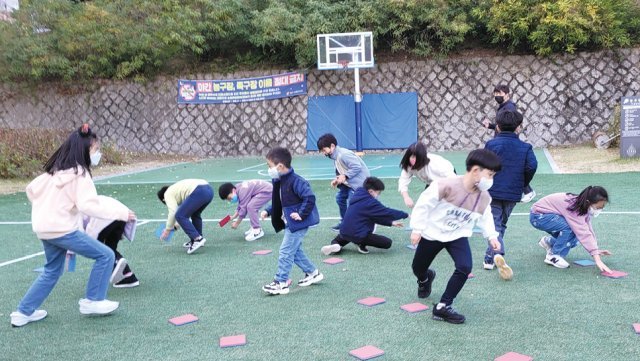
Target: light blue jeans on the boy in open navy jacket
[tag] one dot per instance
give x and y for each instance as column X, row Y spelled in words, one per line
column 291, row 252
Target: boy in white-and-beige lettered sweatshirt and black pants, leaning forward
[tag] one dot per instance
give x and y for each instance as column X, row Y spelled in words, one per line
column 444, row 217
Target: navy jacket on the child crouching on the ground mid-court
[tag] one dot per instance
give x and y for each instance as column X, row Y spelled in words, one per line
column 363, row 213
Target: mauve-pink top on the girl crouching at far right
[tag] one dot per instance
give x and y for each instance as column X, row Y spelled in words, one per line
column 557, row 203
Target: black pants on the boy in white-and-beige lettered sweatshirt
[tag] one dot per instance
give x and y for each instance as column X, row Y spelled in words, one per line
column 459, row 251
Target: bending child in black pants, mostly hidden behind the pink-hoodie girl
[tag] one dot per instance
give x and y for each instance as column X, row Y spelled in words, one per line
column 110, row 232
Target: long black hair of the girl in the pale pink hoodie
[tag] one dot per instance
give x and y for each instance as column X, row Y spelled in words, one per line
column 74, row 152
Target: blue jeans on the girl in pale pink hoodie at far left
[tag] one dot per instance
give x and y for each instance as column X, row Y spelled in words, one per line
column 55, row 251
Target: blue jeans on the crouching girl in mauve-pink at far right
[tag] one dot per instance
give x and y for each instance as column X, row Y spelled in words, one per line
column 562, row 237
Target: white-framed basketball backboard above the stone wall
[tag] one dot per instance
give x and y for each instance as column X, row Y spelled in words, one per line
column 345, row 50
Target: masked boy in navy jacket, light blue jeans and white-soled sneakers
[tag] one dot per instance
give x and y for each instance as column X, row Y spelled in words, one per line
column 294, row 210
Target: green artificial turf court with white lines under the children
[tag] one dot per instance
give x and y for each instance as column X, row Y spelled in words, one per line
column 547, row 313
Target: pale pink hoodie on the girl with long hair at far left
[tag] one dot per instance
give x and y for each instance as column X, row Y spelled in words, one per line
column 59, row 200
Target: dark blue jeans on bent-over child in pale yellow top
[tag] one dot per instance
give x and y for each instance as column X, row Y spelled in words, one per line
column 189, row 212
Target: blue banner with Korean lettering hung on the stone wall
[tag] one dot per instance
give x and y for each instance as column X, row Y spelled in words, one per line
column 241, row 90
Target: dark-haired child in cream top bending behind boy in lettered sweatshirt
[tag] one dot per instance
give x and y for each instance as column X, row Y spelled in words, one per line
column 427, row 168
